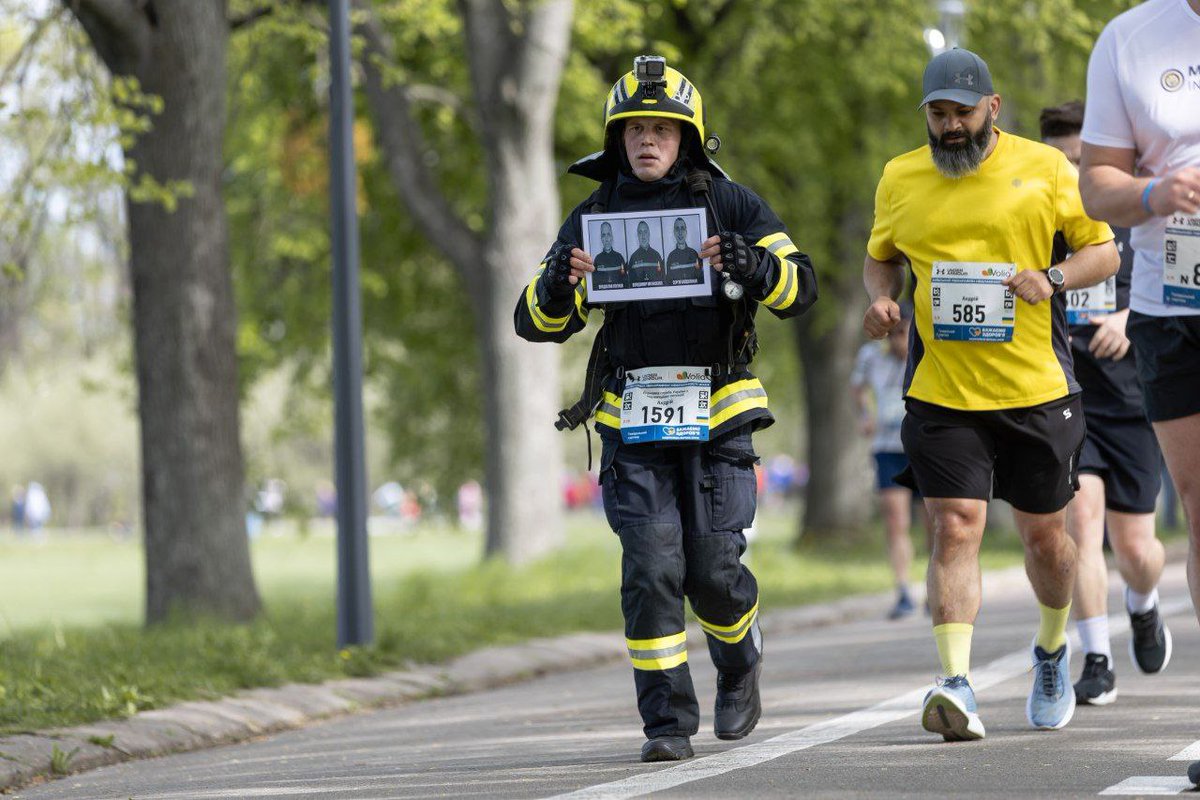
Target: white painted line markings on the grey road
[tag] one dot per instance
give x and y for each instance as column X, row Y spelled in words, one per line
column 824, row 732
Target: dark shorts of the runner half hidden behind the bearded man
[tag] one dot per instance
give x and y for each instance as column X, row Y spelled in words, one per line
column 1125, row 455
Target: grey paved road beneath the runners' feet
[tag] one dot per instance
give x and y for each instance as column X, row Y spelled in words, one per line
column 842, row 720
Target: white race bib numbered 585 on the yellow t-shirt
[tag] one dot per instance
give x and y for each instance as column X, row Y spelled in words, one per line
column 970, row 302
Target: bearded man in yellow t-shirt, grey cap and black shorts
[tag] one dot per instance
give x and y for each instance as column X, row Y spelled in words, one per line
column 993, row 405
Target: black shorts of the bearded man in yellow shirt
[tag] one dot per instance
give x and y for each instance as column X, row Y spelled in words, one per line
column 1027, row 456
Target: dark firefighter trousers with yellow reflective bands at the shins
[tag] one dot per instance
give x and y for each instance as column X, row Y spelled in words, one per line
column 680, row 512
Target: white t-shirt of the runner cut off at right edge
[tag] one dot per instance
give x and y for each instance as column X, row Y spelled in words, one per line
column 1144, row 94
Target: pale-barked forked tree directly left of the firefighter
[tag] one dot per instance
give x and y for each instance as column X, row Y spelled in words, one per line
column 515, row 55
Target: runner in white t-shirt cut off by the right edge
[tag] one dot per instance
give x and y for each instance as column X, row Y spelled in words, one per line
column 1142, row 169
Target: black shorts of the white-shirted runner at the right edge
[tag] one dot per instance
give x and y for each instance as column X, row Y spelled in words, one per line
column 1168, row 364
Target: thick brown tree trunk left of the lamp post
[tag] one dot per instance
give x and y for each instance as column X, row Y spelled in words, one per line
column 184, row 315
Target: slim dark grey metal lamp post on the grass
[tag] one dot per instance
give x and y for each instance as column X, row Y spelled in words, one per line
column 356, row 623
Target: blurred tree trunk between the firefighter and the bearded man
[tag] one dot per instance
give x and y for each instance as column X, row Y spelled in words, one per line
column 837, row 497
